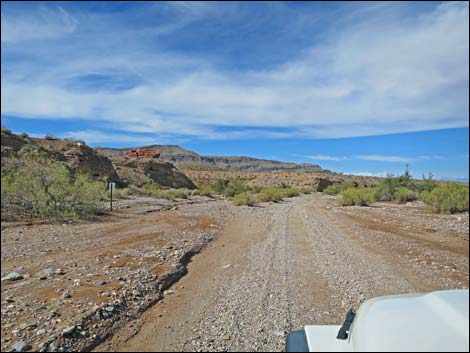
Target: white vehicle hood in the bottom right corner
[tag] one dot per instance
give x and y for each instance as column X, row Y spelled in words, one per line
column 438, row 321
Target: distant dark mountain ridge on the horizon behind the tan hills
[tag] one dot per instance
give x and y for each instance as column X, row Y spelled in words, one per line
column 179, row 155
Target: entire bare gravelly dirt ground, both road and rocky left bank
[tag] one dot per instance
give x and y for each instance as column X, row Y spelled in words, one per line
column 257, row 272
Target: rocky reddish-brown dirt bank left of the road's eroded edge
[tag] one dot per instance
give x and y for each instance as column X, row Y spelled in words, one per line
column 81, row 282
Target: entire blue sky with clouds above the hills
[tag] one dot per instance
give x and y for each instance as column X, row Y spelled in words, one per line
column 359, row 88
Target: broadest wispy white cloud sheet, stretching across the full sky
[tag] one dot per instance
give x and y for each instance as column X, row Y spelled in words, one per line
column 354, row 82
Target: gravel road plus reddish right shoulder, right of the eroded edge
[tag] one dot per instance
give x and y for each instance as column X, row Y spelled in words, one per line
column 303, row 261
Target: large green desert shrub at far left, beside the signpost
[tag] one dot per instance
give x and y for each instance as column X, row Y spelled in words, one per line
column 43, row 188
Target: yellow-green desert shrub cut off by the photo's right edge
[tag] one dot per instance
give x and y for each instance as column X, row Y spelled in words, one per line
column 447, row 199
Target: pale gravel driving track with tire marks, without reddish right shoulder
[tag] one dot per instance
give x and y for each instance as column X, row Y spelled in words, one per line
column 275, row 268
